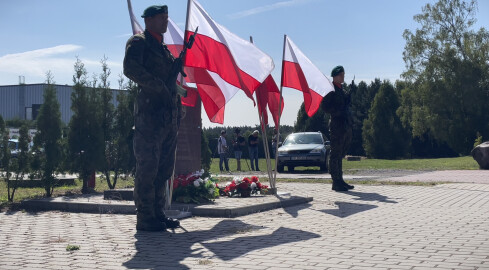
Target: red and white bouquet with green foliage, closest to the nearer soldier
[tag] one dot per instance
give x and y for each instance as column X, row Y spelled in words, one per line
column 192, row 188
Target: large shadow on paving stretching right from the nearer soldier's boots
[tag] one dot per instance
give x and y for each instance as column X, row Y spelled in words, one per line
column 165, row 250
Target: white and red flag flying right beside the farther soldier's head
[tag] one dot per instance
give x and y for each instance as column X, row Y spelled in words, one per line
column 300, row 73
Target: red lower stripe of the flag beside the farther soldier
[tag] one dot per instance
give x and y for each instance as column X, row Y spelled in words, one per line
column 293, row 77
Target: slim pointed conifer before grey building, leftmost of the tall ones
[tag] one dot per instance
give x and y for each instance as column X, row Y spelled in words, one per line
column 47, row 140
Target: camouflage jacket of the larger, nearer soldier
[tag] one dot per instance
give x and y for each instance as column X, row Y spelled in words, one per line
column 149, row 64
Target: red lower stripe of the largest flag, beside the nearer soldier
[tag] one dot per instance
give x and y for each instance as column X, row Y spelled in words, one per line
column 214, row 56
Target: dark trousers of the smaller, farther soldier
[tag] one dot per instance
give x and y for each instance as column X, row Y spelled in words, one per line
column 341, row 136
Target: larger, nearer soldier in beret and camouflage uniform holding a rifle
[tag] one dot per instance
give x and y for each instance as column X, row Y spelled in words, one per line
column 157, row 109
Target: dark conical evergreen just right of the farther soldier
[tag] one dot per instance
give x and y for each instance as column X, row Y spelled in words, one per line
column 383, row 133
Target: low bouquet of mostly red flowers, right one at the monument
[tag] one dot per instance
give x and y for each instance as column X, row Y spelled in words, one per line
column 244, row 187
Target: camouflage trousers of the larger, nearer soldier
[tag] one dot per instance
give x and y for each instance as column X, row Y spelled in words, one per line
column 155, row 140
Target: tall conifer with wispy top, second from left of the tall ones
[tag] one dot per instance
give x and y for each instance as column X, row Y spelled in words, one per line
column 85, row 138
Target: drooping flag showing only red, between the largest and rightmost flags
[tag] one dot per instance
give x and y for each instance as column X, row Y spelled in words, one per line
column 268, row 94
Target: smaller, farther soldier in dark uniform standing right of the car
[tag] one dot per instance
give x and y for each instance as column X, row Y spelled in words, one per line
column 337, row 104
